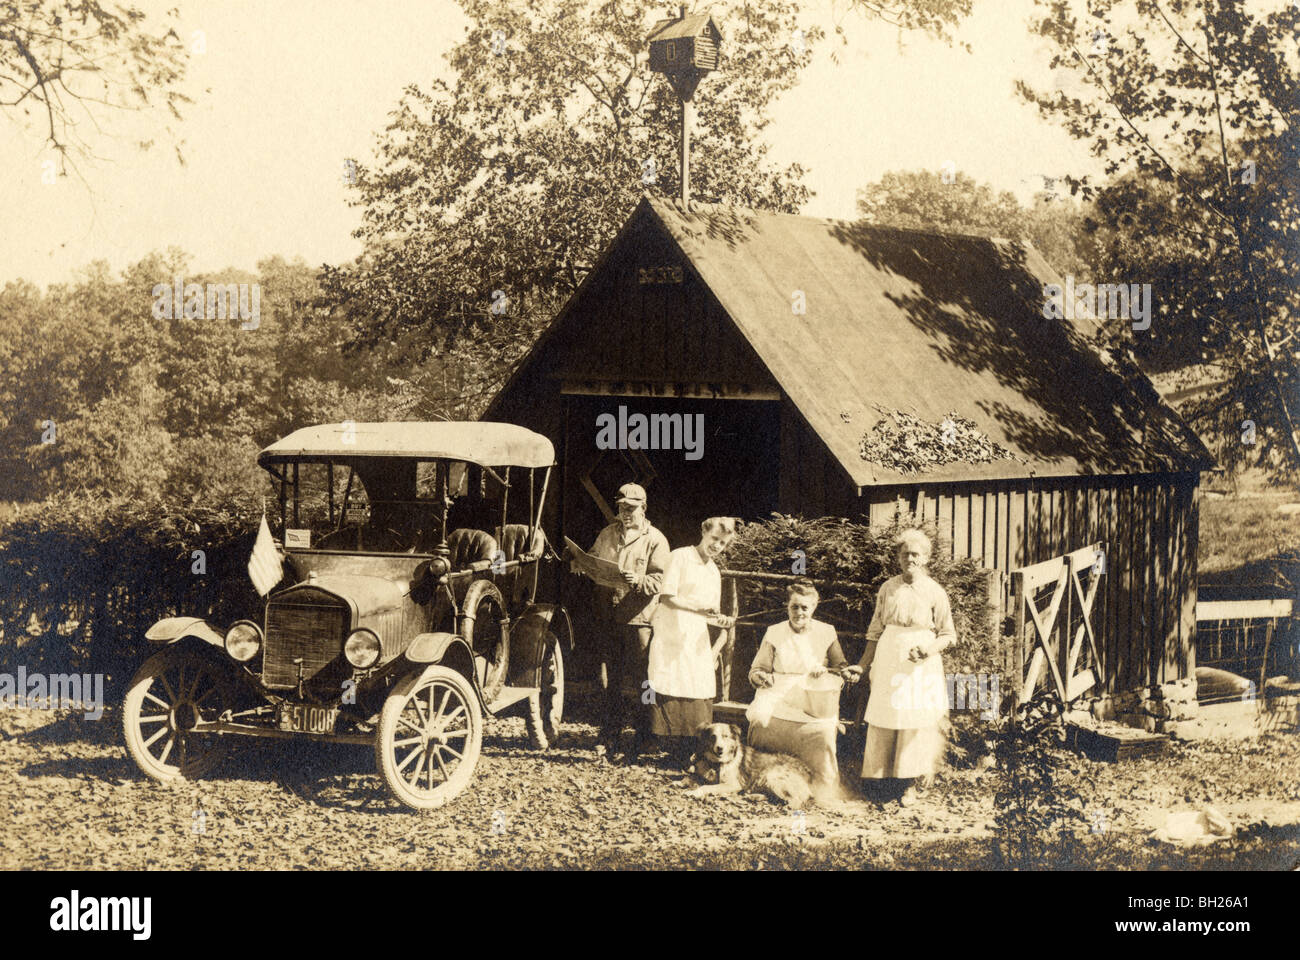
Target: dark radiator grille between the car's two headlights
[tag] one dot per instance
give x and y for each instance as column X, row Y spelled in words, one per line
column 311, row 626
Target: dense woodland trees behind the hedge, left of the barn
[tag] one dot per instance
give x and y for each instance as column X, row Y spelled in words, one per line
column 101, row 397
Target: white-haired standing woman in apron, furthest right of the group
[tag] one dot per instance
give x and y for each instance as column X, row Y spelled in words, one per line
column 912, row 626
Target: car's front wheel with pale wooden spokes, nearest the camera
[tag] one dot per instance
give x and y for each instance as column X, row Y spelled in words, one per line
column 430, row 738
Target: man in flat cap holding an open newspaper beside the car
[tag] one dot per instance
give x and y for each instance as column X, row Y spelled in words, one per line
column 625, row 613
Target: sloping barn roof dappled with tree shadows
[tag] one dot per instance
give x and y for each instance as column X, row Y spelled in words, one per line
column 926, row 323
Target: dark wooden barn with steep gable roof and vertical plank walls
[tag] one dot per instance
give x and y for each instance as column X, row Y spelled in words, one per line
column 791, row 335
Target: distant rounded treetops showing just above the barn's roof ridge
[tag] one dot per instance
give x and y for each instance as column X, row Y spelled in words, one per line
column 930, row 201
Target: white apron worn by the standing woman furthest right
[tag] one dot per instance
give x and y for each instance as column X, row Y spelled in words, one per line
column 907, row 695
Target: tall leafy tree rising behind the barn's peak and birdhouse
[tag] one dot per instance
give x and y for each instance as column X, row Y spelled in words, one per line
column 493, row 193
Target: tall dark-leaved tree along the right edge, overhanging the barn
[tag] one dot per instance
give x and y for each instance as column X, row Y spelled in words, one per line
column 1197, row 106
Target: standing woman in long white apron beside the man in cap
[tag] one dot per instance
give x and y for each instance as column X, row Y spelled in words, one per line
column 688, row 634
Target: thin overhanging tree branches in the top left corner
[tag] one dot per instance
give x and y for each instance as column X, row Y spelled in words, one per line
column 57, row 55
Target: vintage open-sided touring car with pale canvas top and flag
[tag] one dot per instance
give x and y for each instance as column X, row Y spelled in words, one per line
column 406, row 613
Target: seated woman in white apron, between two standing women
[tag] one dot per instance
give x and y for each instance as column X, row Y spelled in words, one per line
column 792, row 652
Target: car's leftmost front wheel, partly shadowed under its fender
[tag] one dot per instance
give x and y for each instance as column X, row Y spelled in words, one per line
column 174, row 691
